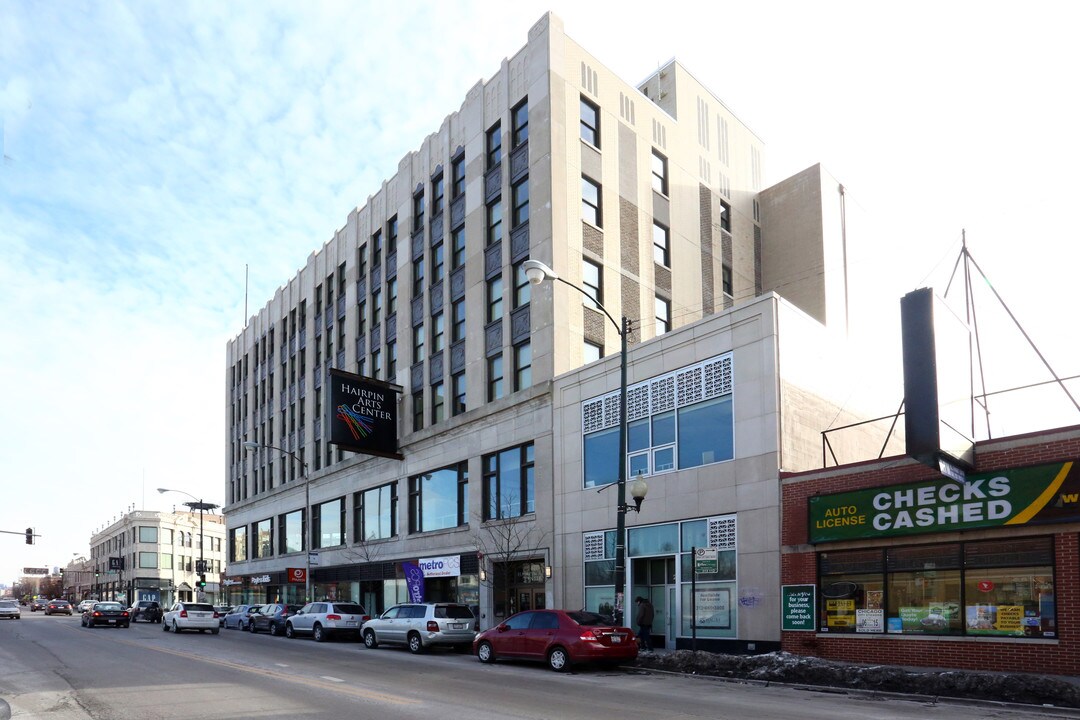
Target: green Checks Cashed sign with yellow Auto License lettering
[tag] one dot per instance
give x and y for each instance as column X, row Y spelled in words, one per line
column 1027, row 496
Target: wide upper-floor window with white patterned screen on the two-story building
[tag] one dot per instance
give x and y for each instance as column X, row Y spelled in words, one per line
column 686, row 423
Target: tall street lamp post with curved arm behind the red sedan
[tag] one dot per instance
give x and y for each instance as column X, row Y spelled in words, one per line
column 537, row 273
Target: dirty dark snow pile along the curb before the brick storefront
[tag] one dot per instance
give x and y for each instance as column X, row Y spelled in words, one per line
column 801, row 670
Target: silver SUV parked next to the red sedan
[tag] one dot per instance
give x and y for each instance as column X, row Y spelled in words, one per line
column 423, row 626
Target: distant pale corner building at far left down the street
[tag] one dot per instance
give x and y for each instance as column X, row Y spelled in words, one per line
column 150, row 555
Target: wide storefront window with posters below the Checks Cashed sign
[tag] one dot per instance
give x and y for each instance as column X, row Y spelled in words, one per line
column 1001, row 588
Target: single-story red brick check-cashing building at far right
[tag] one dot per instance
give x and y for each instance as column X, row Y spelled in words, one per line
column 892, row 563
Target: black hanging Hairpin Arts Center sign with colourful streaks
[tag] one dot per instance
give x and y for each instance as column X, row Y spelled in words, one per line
column 363, row 415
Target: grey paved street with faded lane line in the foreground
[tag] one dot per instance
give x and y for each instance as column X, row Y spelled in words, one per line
column 52, row 668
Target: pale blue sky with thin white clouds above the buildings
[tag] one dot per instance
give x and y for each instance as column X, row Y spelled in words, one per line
column 158, row 155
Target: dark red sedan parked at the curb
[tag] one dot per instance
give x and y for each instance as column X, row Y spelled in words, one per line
column 558, row 637
